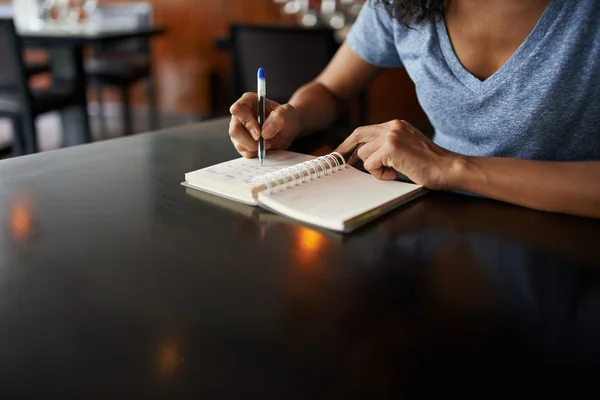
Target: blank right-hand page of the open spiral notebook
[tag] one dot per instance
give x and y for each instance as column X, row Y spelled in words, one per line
column 333, row 199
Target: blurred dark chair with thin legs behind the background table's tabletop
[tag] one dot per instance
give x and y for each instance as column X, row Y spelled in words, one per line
column 124, row 63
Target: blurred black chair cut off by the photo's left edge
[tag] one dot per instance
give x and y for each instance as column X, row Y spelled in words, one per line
column 18, row 101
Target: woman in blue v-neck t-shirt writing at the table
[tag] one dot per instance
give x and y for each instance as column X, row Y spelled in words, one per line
column 511, row 87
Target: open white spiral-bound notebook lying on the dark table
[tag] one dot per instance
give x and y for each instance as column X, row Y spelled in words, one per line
column 320, row 191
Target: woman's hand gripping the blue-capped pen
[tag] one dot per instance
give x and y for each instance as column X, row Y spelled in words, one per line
column 279, row 130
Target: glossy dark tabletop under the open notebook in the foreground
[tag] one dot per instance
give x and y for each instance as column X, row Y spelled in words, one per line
column 115, row 282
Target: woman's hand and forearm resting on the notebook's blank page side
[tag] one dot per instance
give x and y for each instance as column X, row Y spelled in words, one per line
column 568, row 187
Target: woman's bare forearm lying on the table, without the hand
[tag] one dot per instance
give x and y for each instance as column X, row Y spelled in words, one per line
column 561, row 187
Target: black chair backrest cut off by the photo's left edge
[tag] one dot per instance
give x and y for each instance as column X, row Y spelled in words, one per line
column 12, row 68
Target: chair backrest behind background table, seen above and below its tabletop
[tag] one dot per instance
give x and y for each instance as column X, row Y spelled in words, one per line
column 135, row 15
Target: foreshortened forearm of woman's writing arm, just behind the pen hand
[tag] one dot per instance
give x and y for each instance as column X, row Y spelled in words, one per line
column 317, row 108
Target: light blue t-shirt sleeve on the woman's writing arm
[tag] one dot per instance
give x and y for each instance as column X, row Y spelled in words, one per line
column 372, row 37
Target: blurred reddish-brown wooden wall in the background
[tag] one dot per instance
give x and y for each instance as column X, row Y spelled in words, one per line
column 186, row 56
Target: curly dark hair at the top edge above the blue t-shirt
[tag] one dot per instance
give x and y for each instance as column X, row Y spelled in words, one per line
column 410, row 12
